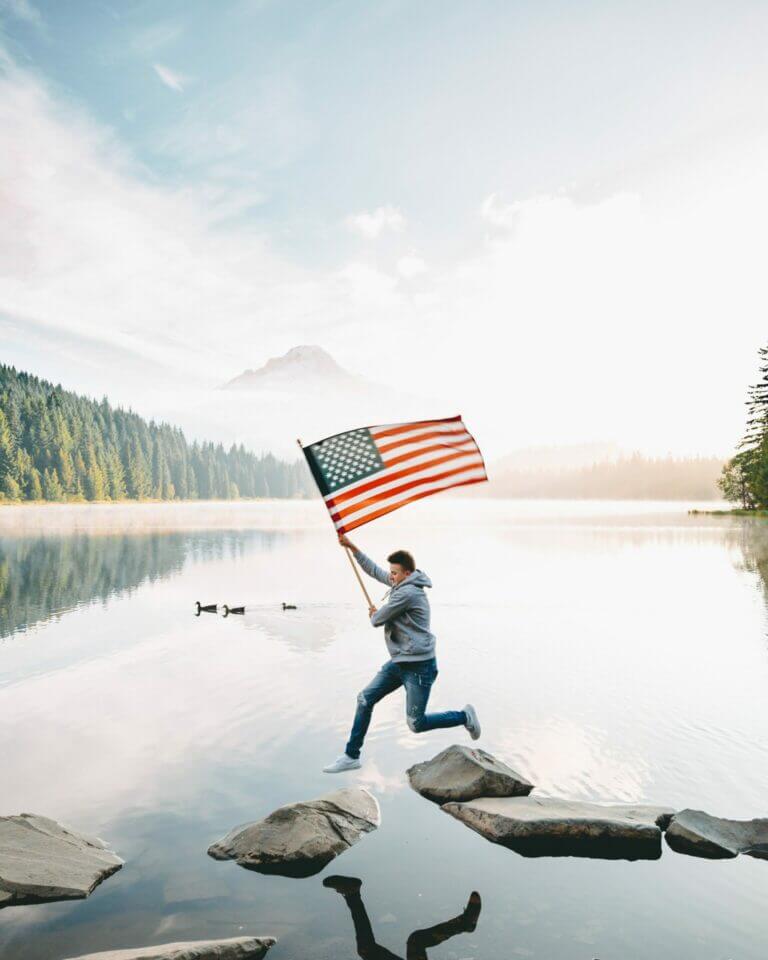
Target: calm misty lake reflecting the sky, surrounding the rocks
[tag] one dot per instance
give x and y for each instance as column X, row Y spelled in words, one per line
column 613, row 651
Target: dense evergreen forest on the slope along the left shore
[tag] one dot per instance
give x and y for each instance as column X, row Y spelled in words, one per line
column 60, row 446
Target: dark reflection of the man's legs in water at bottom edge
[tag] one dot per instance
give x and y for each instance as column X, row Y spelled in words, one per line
column 418, row 942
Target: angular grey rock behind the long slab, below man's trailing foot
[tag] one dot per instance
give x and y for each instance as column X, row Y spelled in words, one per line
column 462, row 773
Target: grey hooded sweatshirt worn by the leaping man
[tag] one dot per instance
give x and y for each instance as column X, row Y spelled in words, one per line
column 405, row 615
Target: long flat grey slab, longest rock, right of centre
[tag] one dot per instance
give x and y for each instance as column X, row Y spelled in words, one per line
column 540, row 826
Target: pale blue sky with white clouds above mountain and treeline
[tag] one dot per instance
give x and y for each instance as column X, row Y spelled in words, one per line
column 547, row 216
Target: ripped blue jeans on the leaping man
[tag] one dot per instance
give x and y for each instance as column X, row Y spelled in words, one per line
column 417, row 677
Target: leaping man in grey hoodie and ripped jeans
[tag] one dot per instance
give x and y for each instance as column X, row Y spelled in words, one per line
column 412, row 664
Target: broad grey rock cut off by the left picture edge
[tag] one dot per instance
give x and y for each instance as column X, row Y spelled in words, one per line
column 41, row 860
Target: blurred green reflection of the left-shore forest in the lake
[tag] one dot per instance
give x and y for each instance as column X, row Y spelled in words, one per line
column 43, row 576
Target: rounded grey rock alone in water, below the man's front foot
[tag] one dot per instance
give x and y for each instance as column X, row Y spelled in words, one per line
column 299, row 839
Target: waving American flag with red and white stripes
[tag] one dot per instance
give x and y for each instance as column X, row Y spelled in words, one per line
column 365, row 473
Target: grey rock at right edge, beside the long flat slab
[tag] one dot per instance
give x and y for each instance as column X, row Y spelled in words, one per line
column 701, row 835
